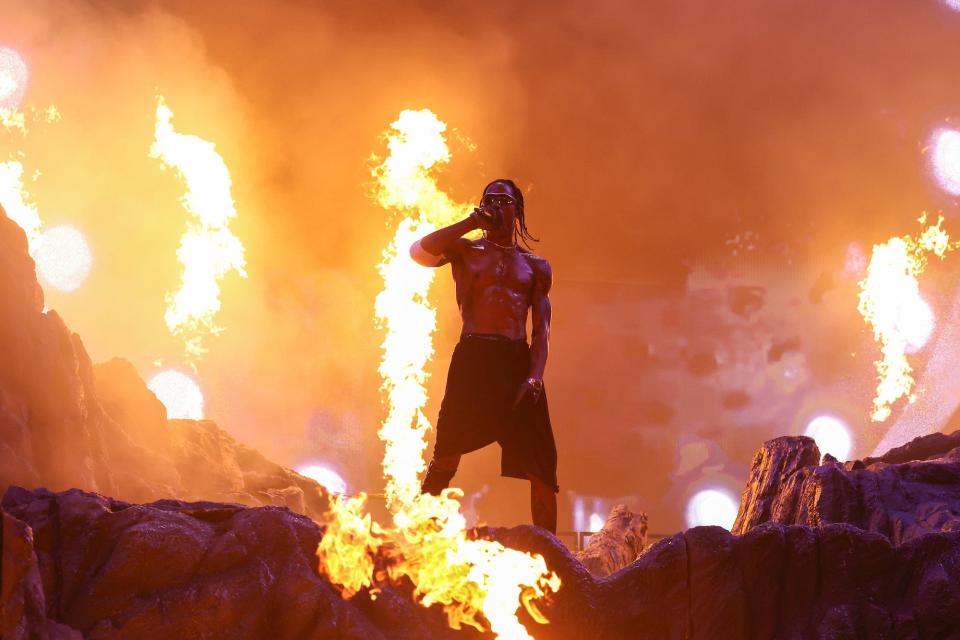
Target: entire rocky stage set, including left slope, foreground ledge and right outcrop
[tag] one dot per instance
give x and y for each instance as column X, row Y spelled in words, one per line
column 155, row 529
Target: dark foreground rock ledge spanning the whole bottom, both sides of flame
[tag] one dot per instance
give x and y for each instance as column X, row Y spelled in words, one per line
column 110, row 569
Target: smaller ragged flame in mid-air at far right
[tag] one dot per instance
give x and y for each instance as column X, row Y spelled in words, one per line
column 886, row 297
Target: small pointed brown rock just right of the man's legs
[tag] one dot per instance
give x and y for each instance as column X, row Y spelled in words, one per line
column 617, row 544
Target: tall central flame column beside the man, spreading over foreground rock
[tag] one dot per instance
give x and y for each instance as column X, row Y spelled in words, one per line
column 478, row 582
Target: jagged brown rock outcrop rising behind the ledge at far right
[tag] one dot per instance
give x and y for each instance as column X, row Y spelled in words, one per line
column 911, row 491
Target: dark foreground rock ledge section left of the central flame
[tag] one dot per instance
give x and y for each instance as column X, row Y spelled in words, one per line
column 172, row 569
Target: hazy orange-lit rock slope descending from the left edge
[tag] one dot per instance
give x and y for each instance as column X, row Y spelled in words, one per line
column 67, row 423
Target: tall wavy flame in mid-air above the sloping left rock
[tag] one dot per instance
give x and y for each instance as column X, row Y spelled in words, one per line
column 208, row 250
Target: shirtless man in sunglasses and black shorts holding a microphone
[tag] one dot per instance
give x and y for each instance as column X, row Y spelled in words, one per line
column 494, row 390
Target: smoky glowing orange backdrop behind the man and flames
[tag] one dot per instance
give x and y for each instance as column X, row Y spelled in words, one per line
column 696, row 171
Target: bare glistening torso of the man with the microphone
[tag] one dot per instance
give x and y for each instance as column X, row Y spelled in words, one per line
column 495, row 287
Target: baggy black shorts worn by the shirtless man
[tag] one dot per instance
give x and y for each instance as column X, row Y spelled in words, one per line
column 486, row 373
